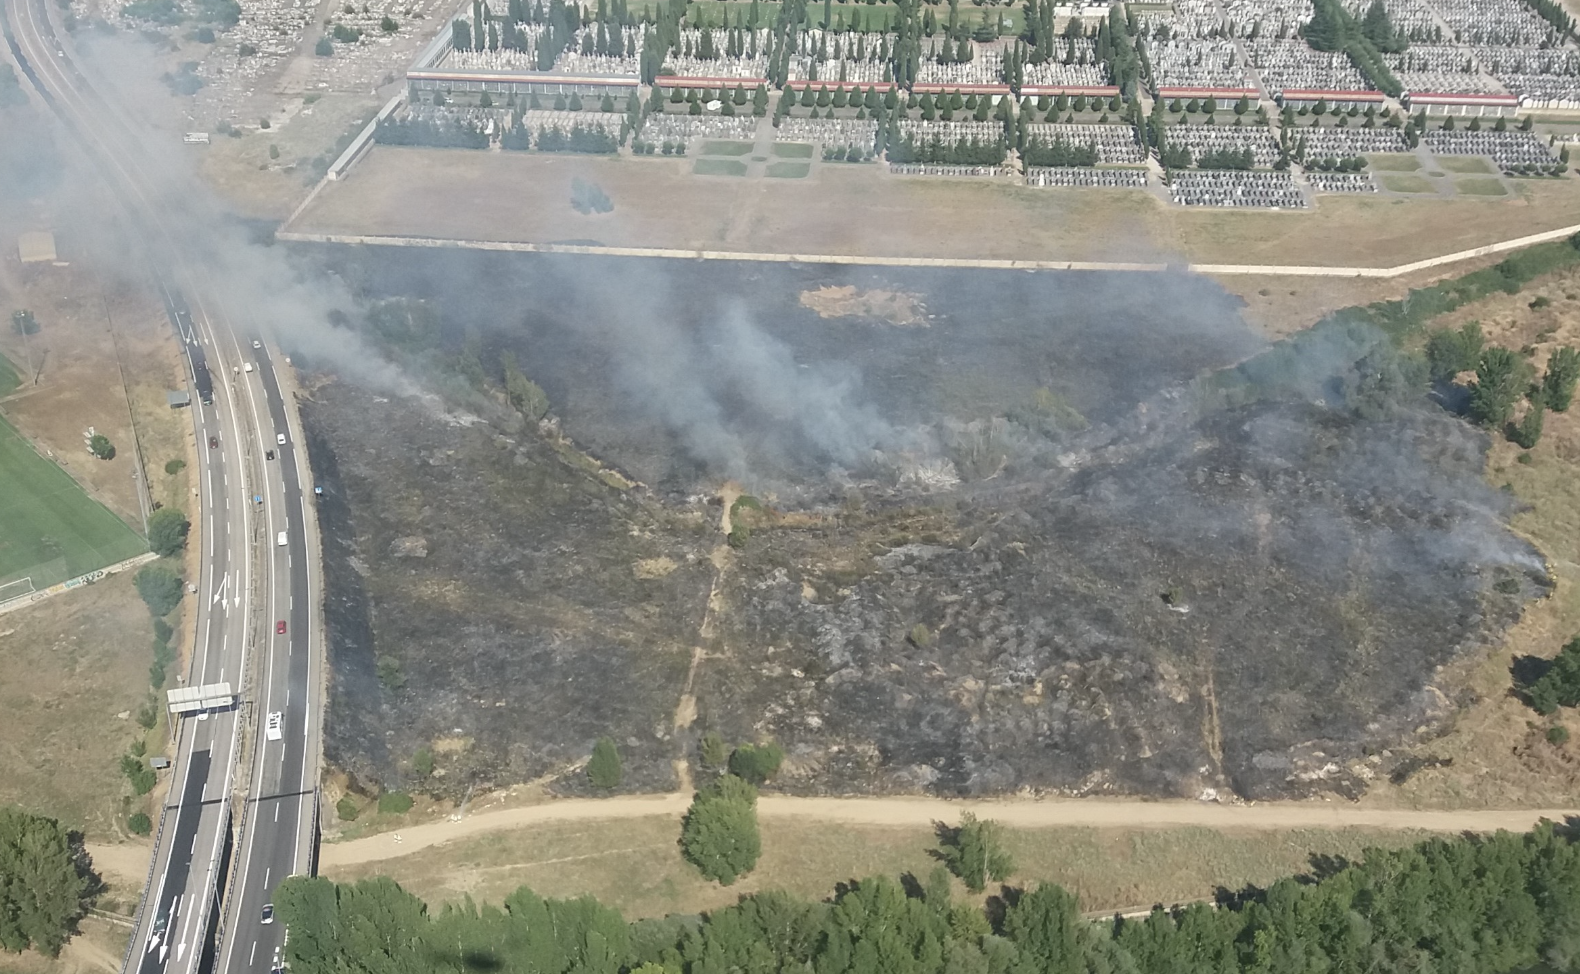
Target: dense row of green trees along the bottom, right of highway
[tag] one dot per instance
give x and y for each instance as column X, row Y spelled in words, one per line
column 1473, row 905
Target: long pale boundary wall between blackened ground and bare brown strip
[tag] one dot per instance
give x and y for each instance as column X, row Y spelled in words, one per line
column 985, row 265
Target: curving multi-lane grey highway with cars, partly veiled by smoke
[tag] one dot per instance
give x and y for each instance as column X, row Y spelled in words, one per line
column 222, row 848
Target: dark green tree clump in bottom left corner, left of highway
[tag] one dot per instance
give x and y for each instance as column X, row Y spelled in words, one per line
column 47, row 883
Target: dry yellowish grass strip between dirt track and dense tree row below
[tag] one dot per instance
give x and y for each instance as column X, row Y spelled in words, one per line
column 636, row 864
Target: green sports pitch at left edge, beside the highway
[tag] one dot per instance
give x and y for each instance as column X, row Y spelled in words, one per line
column 50, row 529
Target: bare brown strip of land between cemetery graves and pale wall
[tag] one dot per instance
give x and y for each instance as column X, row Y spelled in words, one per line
column 862, row 211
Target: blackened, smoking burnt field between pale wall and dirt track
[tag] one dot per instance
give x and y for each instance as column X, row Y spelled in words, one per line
column 1017, row 532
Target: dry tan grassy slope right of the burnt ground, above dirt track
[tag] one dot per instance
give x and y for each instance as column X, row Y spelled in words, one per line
column 1499, row 746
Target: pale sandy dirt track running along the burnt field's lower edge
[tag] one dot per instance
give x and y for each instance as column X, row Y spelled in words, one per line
column 922, row 812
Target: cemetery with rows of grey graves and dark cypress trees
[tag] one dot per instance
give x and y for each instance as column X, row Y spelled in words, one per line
column 1186, row 91
